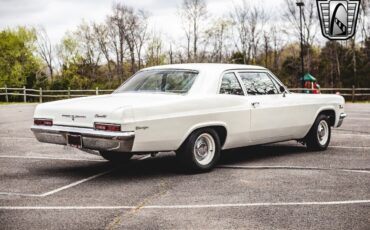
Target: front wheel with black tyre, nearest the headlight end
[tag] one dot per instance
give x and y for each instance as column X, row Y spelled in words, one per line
column 318, row 138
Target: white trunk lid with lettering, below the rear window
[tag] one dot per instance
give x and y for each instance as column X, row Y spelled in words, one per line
column 83, row 112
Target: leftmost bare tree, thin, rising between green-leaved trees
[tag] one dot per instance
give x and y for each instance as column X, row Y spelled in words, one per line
column 45, row 49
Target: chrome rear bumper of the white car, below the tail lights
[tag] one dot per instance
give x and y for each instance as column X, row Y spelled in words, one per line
column 91, row 139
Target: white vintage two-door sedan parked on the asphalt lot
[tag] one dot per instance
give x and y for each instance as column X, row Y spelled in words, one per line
column 196, row 110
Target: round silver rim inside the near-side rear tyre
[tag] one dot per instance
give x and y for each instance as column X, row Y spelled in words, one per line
column 204, row 149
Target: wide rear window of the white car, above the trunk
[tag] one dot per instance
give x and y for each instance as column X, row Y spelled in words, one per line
column 166, row 81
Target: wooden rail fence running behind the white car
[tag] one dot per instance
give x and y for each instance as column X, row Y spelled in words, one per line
column 40, row 95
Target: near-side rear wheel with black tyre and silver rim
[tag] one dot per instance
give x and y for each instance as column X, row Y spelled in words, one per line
column 200, row 152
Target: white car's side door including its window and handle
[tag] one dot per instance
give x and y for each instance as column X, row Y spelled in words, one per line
column 272, row 113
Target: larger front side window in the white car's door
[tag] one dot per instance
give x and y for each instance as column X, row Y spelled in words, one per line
column 258, row 83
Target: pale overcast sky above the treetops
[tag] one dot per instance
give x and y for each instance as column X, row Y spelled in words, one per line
column 59, row 16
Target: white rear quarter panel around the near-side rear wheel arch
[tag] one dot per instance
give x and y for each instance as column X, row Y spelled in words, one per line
column 165, row 126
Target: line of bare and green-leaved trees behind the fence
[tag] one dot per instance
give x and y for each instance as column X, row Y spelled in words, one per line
column 105, row 54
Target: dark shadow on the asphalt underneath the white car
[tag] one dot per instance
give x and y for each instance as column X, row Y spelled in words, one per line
column 165, row 164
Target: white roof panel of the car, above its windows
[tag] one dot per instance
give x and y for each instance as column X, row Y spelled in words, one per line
column 206, row 66
